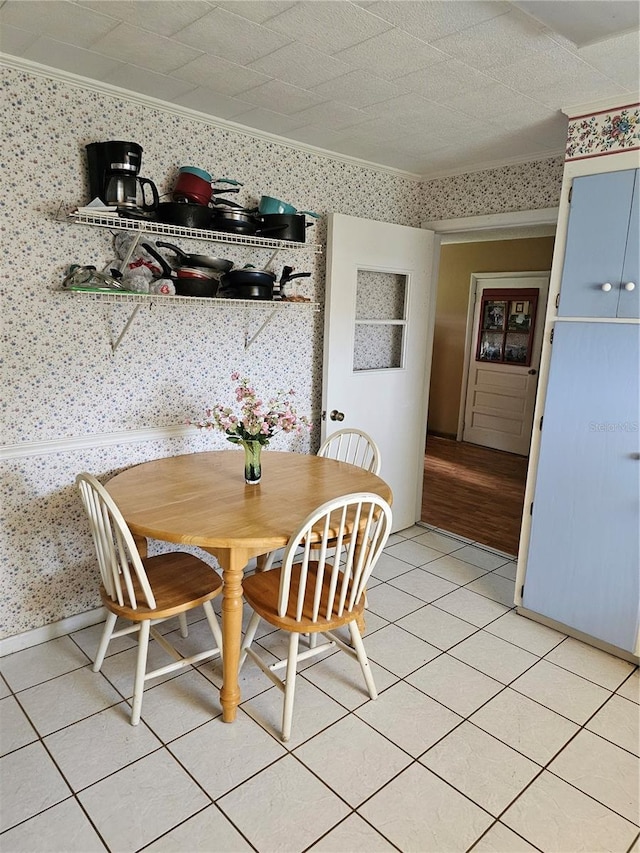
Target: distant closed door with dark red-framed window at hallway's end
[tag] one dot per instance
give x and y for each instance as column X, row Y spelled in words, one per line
column 503, row 358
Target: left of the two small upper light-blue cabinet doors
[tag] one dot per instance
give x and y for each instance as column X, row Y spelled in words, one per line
column 596, row 241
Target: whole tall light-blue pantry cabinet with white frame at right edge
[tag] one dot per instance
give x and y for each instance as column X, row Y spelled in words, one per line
column 579, row 561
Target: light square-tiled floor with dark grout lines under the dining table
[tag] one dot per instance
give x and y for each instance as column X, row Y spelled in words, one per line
column 491, row 733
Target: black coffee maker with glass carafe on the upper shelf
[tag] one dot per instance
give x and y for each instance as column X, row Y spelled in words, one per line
column 114, row 178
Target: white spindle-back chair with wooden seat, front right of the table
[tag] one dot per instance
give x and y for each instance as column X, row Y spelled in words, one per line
column 317, row 596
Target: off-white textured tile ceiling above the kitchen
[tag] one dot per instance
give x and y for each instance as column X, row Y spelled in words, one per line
column 425, row 87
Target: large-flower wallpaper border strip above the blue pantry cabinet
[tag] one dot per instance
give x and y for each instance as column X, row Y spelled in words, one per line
column 604, row 133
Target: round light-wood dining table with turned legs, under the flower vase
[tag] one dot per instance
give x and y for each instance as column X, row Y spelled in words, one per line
column 202, row 499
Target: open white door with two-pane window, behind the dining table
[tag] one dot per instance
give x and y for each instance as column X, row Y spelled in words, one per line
column 377, row 345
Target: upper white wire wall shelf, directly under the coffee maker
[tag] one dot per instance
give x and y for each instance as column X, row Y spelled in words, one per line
column 122, row 223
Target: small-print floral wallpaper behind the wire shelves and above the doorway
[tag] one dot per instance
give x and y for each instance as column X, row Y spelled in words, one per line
column 60, row 378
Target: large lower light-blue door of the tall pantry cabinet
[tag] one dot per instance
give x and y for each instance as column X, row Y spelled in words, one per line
column 583, row 561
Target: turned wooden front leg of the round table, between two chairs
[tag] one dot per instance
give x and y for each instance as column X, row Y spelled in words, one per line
column 232, row 562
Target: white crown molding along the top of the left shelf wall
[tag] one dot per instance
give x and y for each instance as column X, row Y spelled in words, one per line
column 108, row 89
